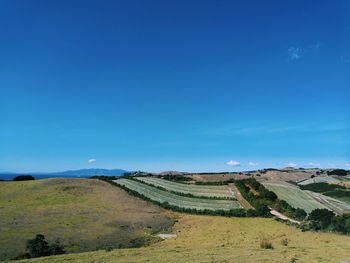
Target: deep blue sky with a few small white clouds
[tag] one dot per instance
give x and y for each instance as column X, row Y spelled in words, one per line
column 174, row 85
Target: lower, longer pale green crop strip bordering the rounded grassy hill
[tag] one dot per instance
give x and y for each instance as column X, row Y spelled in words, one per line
column 177, row 200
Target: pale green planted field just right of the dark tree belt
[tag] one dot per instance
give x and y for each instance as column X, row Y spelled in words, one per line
column 295, row 197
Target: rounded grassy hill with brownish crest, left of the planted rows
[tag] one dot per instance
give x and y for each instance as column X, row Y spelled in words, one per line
column 85, row 214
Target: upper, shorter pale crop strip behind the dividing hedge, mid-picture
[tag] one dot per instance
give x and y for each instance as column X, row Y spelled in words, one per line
column 196, row 190
